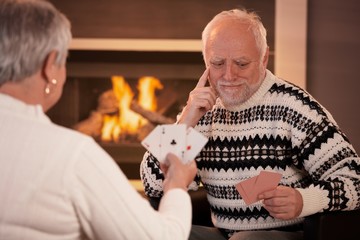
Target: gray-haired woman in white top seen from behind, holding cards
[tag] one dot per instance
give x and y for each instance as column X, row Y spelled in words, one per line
column 56, row 183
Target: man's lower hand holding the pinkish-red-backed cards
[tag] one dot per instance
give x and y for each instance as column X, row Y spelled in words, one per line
column 283, row 202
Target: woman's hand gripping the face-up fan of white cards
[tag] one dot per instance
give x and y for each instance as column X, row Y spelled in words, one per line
column 176, row 173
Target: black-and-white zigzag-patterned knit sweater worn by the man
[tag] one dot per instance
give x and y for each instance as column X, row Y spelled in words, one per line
column 280, row 128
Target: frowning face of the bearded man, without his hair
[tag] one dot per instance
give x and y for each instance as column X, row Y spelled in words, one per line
column 236, row 68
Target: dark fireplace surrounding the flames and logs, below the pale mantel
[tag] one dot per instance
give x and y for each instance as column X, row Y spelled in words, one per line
column 90, row 73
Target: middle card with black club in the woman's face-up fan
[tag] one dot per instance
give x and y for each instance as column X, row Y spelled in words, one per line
column 172, row 139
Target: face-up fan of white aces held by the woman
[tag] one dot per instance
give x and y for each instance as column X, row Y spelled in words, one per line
column 186, row 143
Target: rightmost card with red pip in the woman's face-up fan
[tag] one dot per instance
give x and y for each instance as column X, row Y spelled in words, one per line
column 195, row 141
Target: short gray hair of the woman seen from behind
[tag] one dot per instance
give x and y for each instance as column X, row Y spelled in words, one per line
column 29, row 31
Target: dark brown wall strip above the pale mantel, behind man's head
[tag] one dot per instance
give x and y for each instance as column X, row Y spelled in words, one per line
column 175, row 19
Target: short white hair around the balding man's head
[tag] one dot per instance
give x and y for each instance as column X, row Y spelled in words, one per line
column 243, row 16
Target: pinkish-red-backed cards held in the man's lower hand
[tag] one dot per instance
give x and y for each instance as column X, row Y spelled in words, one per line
column 251, row 188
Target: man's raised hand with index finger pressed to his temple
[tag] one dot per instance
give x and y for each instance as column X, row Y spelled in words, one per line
column 201, row 99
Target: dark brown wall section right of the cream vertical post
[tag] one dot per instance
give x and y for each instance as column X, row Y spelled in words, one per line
column 333, row 75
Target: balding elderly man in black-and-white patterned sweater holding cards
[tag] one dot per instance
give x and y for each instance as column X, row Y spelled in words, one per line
column 256, row 121
